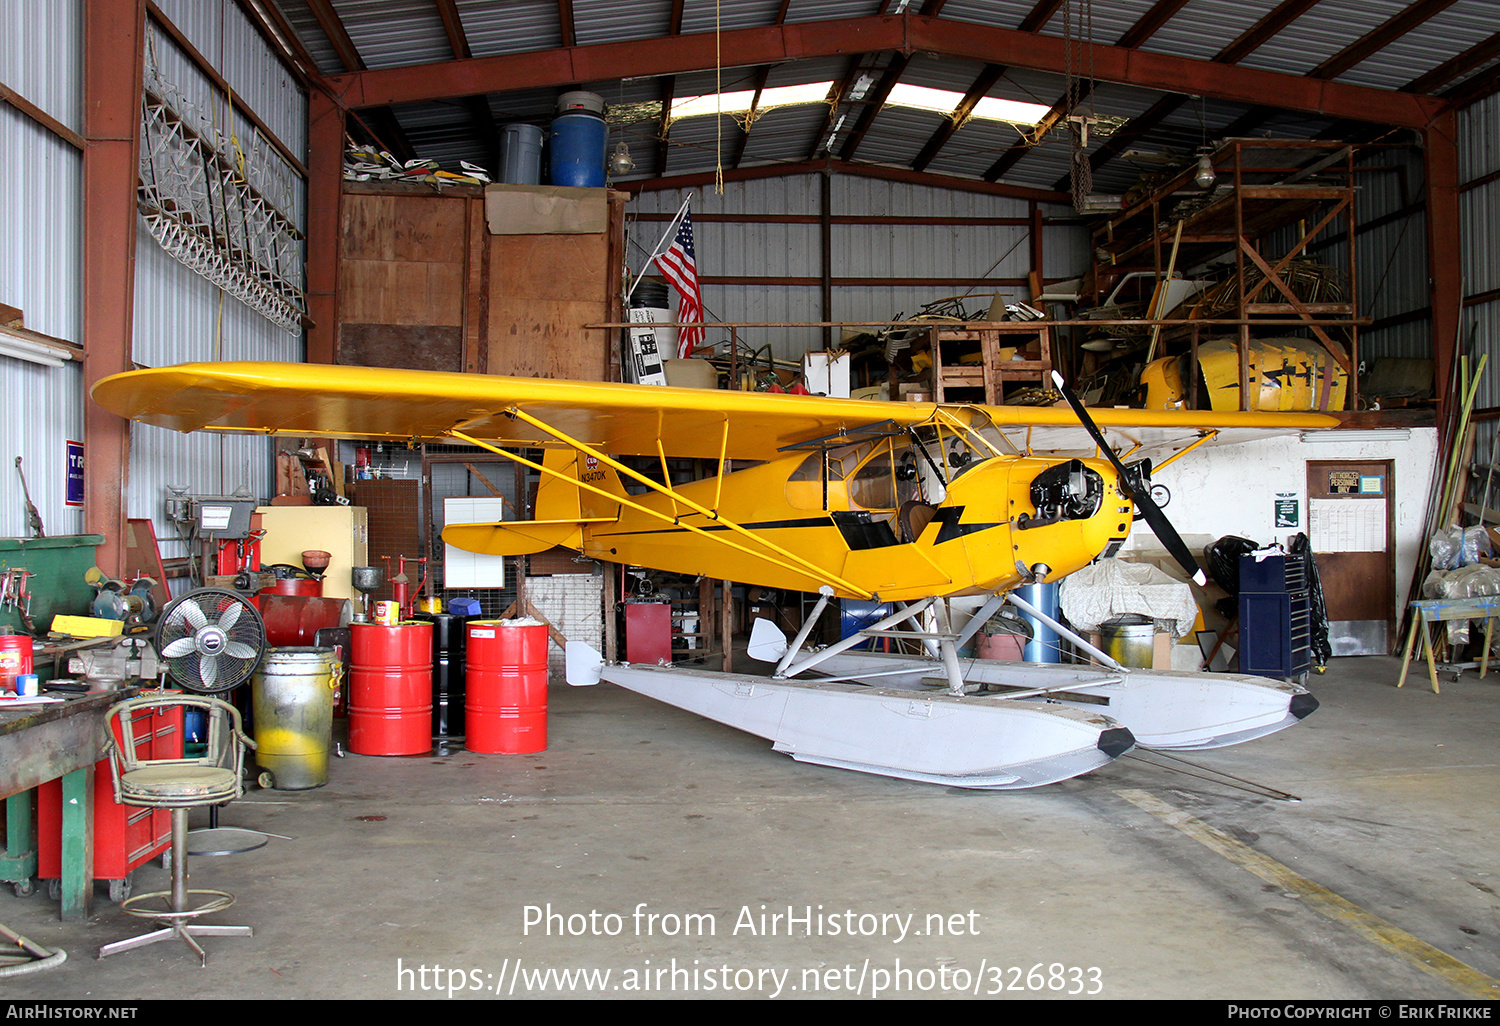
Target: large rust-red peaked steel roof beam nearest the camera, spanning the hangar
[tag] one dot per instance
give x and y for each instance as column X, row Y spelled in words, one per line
column 901, row 34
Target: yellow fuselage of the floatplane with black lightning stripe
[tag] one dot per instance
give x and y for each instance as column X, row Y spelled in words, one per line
column 869, row 527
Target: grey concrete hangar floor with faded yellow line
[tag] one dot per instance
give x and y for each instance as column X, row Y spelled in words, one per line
column 415, row 877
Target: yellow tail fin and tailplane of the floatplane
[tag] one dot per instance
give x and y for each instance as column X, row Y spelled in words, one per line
column 563, row 509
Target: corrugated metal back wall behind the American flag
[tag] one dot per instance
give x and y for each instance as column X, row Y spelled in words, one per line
column 859, row 251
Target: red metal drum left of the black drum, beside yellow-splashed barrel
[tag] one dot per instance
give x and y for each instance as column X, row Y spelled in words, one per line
column 391, row 689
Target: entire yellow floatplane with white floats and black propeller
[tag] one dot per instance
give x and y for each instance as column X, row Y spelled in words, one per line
column 901, row 503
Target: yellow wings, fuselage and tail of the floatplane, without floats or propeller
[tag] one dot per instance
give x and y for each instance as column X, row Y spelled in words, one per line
column 866, row 499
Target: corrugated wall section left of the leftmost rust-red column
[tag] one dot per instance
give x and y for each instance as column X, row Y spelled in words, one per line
column 41, row 251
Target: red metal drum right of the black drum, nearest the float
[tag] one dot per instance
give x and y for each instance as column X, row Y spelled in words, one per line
column 506, row 688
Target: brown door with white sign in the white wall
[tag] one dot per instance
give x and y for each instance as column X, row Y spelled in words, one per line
column 1352, row 529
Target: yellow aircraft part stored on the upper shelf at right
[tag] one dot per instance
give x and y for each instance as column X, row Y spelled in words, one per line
column 1285, row 376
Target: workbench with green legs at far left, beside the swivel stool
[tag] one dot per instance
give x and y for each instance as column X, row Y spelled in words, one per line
column 40, row 743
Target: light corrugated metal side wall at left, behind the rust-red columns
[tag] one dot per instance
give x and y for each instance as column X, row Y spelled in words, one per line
column 179, row 316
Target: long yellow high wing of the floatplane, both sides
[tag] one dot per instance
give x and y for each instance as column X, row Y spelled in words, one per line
column 328, row 401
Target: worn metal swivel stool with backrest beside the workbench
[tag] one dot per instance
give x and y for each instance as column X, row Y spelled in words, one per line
column 179, row 785
